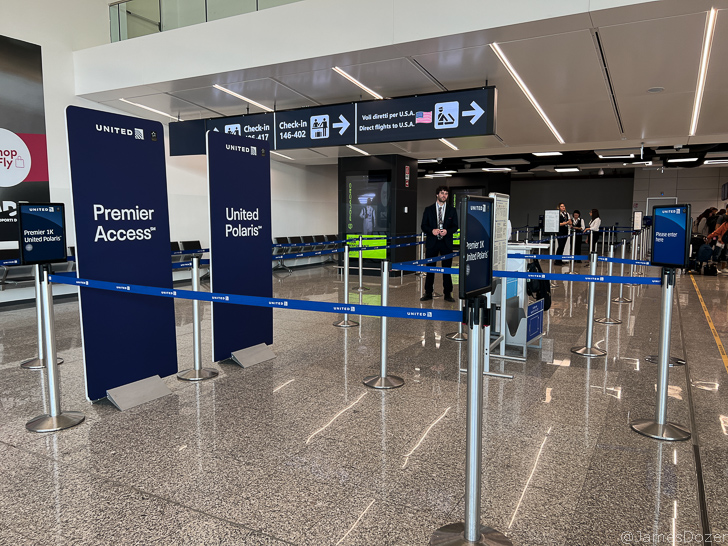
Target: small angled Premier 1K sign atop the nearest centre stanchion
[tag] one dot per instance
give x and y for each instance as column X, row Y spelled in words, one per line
column 476, row 246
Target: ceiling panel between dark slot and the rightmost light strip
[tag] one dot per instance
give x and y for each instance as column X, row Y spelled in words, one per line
column 646, row 54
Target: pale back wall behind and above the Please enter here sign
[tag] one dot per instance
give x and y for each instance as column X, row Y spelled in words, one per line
column 699, row 187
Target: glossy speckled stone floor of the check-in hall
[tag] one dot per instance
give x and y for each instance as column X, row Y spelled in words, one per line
column 298, row 451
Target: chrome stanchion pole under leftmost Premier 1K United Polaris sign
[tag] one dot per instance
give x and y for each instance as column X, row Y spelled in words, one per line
column 56, row 419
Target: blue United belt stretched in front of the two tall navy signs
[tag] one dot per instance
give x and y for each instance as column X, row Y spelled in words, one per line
column 257, row 301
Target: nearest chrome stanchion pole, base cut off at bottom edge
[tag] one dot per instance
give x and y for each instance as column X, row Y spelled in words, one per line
column 470, row 531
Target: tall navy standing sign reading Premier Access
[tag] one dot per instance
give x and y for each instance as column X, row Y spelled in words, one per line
column 119, row 186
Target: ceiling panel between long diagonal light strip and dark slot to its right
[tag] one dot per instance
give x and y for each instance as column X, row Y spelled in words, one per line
column 564, row 76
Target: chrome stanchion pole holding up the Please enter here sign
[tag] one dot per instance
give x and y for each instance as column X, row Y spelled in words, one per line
column 659, row 428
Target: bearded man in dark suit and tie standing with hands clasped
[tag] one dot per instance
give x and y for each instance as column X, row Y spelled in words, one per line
column 439, row 223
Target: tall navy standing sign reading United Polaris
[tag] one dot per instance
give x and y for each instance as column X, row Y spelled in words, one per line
column 240, row 238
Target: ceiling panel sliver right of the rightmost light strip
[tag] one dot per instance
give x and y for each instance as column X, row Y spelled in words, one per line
column 713, row 113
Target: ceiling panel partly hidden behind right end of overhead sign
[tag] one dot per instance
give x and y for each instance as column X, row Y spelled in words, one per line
column 518, row 124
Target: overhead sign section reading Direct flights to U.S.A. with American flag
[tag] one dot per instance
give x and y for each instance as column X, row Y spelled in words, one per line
column 425, row 117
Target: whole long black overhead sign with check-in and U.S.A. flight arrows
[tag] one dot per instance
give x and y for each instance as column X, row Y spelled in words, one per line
column 423, row 117
